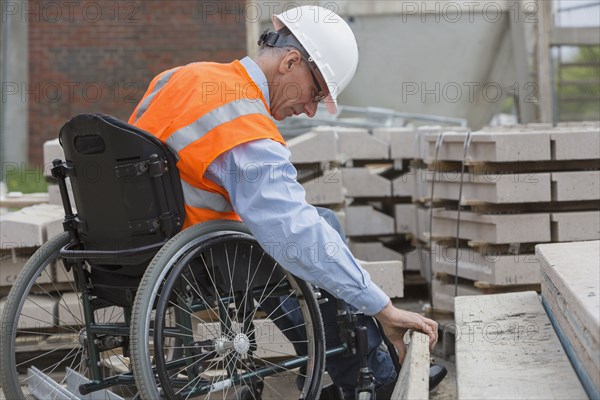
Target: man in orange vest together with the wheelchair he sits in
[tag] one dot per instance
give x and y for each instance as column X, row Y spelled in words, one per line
column 197, row 306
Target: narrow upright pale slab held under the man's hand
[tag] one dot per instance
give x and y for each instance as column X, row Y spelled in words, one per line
column 413, row 381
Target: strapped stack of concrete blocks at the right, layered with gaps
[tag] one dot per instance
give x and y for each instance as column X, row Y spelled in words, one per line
column 521, row 186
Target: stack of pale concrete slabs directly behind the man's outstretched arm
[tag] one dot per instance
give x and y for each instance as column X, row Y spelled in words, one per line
column 350, row 171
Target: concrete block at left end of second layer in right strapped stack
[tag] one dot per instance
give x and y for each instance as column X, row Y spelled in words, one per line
column 497, row 189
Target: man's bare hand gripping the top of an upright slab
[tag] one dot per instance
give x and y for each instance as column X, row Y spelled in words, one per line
column 397, row 322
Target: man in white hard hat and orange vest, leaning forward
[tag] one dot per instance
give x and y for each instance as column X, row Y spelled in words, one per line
column 217, row 118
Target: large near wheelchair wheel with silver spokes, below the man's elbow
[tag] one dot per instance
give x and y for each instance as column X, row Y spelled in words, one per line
column 222, row 318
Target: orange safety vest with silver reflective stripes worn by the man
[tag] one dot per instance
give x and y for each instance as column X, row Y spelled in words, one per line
column 200, row 111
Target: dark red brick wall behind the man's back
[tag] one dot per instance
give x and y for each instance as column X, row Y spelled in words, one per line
column 99, row 56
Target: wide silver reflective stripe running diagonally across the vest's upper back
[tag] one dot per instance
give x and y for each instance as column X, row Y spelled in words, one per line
column 225, row 113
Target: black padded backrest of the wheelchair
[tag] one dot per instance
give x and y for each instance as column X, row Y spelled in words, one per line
column 126, row 187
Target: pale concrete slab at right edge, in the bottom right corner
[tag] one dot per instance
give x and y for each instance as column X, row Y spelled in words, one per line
column 570, row 275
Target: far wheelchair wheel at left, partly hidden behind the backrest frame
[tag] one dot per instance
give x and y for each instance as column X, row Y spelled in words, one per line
column 43, row 336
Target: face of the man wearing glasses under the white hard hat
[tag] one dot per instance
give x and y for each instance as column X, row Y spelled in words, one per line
column 298, row 89
